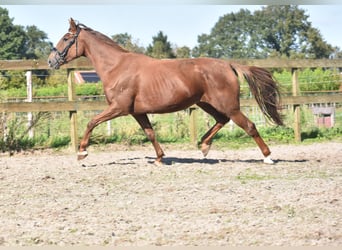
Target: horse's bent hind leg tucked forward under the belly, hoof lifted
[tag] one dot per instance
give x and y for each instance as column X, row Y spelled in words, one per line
column 221, row 120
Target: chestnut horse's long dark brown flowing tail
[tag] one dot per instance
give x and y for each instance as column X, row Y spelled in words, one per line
column 264, row 88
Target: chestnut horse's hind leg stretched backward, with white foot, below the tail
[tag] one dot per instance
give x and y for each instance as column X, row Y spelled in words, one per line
column 242, row 121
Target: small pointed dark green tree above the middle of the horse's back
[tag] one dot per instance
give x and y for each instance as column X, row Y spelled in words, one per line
column 160, row 47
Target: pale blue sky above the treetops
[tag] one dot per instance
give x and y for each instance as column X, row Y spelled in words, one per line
column 181, row 23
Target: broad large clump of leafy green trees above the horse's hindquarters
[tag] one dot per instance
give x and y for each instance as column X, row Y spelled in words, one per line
column 273, row 31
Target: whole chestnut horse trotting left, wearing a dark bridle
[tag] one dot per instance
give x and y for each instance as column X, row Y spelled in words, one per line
column 136, row 84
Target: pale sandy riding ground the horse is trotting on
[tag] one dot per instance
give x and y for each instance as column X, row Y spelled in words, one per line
column 121, row 198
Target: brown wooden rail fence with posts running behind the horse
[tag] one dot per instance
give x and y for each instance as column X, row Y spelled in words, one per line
column 73, row 106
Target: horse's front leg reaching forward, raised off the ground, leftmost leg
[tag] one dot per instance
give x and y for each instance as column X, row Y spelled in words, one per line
column 110, row 113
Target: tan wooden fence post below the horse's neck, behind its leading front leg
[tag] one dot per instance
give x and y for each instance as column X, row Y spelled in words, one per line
column 72, row 114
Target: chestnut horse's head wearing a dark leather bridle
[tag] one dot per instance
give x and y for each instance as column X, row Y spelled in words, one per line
column 67, row 48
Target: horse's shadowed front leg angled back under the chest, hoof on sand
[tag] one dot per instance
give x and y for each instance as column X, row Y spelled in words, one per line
column 145, row 124
